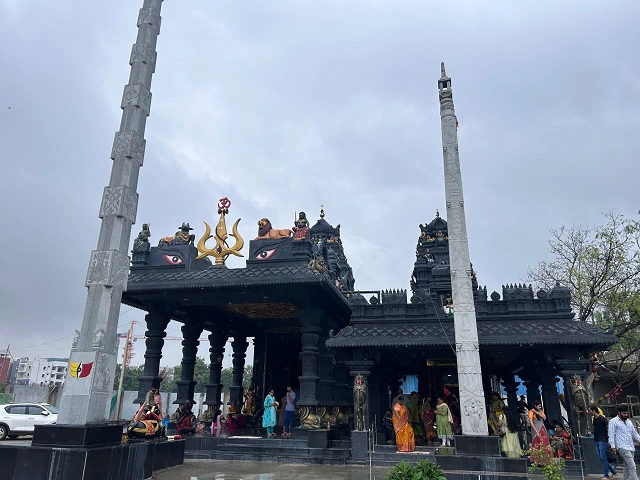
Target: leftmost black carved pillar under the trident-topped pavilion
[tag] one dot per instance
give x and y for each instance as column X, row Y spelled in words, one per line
column 156, row 326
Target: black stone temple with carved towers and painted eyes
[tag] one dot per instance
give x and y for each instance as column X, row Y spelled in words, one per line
column 296, row 300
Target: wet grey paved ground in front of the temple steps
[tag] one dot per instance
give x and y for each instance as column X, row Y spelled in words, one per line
column 226, row 470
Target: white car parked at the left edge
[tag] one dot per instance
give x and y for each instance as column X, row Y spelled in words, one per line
column 21, row 418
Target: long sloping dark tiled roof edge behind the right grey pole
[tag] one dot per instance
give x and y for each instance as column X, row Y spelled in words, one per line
column 490, row 333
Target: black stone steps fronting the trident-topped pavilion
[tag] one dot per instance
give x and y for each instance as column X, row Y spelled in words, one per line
column 282, row 450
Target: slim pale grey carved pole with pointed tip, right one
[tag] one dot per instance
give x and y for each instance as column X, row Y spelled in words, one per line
column 474, row 417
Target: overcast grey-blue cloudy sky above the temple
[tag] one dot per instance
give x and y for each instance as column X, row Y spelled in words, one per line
column 284, row 106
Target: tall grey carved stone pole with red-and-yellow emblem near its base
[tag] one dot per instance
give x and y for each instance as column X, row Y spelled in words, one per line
column 88, row 386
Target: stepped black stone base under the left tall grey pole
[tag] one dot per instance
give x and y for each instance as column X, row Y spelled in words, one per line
column 62, row 452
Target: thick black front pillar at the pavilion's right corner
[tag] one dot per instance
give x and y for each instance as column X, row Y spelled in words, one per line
column 310, row 321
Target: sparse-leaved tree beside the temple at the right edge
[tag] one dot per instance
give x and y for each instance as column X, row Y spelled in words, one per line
column 601, row 267
